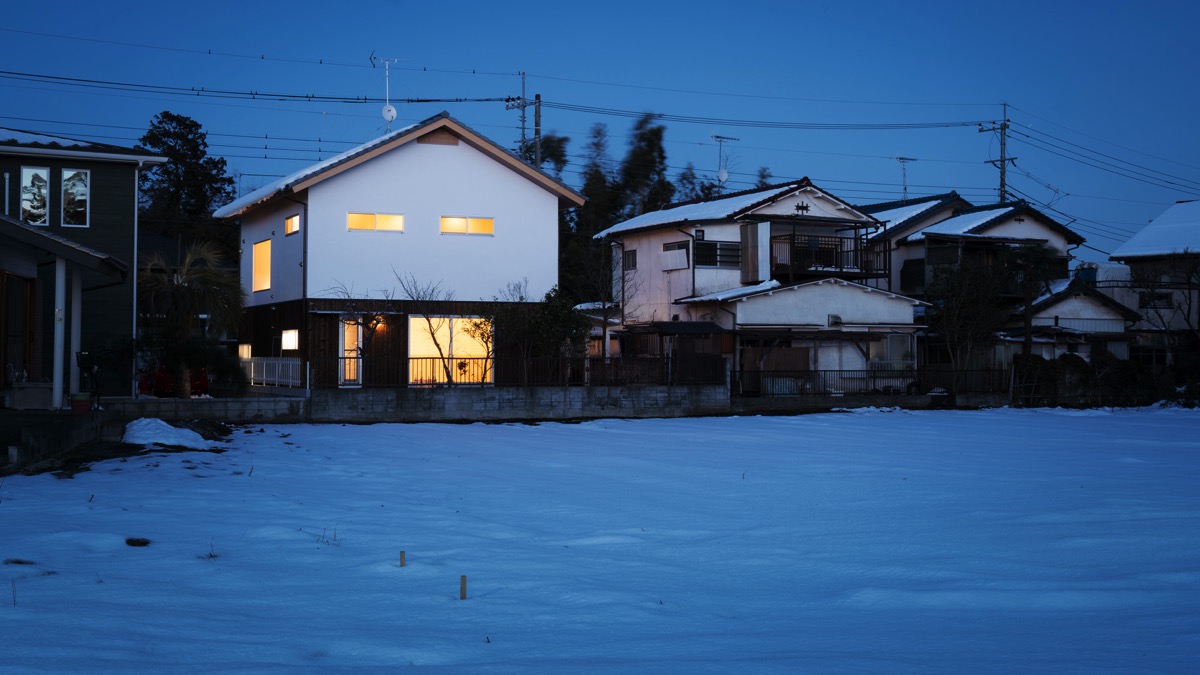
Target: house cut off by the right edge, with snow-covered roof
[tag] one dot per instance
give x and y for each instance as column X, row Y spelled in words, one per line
column 1165, row 280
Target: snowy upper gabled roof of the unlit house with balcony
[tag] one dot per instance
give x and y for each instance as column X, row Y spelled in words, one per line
column 725, row 208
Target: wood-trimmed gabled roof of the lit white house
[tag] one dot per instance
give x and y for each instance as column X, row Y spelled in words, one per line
column 316, row 174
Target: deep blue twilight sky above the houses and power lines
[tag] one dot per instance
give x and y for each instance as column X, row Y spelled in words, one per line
column 1101, row 94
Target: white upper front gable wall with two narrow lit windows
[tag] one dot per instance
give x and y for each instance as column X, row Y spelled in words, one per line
column 424, row 183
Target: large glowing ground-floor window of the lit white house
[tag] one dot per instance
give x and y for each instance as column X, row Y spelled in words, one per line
column 445, row 349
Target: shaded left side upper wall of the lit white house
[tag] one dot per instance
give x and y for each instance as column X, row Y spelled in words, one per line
column 287, row 253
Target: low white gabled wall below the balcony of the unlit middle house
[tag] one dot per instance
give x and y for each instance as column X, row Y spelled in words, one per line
column 814, row 303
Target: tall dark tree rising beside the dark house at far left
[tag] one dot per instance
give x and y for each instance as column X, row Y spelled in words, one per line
column 178, row 198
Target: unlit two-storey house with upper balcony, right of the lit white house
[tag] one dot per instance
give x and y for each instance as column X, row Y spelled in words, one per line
column 772, row 279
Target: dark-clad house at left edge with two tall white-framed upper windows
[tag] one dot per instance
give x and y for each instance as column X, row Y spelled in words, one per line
column 85, row 198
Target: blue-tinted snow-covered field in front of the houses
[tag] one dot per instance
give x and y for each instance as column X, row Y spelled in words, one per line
column 1000, row 541
